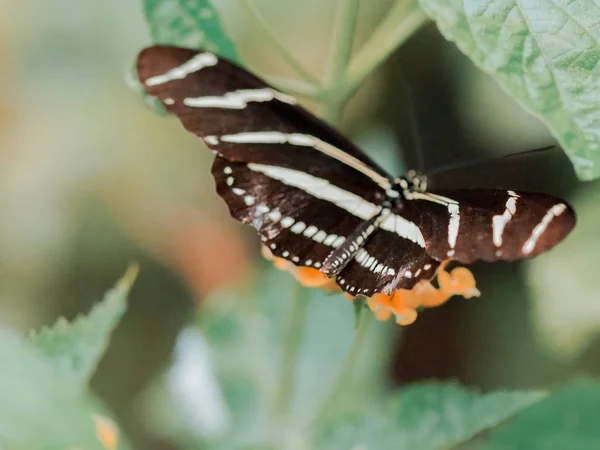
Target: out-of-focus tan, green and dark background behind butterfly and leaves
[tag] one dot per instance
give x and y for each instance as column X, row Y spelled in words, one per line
column 91, row 179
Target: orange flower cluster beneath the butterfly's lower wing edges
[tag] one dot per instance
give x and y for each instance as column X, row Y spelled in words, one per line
column 403, row 303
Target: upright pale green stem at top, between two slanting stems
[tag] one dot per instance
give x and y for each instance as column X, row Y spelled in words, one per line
column 341, row 50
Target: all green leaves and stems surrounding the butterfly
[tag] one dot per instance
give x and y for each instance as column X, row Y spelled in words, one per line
column 296, row 368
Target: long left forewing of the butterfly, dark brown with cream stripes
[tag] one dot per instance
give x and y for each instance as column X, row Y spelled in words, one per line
column 243, row 119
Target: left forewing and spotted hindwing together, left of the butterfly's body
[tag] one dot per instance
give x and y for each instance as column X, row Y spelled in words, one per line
column 299, row 183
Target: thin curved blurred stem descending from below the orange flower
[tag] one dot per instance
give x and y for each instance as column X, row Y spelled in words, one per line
column 345, row 374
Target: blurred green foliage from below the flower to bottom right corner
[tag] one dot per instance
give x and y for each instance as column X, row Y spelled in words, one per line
column 364, row 414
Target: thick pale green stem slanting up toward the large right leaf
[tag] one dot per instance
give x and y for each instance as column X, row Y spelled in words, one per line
column 397, row 27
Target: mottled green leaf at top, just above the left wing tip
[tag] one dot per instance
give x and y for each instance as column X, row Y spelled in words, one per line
column 189, row 23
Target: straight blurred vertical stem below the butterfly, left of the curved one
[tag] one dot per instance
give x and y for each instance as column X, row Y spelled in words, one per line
column 291, row 349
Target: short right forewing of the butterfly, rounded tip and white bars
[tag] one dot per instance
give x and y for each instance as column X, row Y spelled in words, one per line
column 489, row 224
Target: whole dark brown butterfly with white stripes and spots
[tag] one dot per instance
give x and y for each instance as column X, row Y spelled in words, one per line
column 317, row 201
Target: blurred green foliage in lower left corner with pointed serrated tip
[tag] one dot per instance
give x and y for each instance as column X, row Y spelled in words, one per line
column 44, row 402
